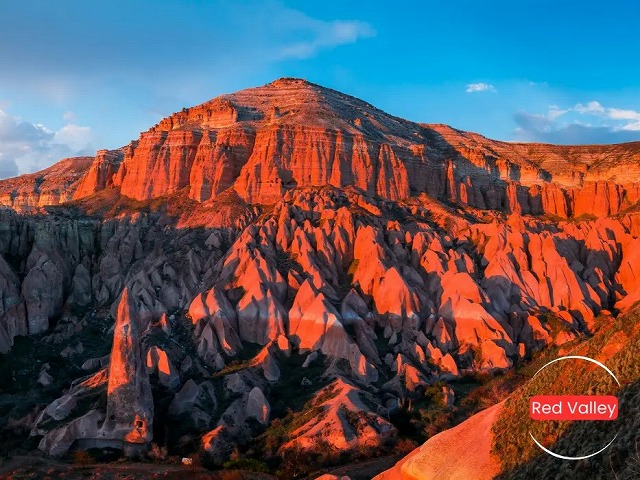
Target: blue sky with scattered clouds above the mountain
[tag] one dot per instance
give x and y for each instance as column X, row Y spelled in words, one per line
column 76, row 76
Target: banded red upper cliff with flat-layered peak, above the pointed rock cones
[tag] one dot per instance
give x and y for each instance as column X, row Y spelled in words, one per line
column 291, row 133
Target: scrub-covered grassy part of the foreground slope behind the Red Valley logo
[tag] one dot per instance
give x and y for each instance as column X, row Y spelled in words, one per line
column 618, row 346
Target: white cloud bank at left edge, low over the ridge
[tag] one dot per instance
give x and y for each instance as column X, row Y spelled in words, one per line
column 27, row 147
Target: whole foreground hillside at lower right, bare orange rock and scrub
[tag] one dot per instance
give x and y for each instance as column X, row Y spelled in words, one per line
column 495, row 442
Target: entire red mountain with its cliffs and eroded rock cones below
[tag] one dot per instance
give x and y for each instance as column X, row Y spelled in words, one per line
column 286, row 270
